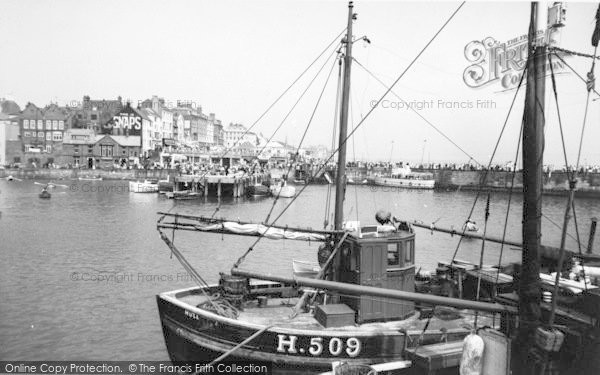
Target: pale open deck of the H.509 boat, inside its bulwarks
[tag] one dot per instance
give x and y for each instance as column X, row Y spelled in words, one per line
column 278, row 310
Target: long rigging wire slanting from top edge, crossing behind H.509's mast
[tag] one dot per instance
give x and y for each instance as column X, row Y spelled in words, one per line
column 359, row 124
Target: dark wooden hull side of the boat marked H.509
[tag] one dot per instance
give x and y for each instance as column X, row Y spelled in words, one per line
column 196, row 335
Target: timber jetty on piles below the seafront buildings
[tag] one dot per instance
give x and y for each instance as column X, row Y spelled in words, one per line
column 216, row 184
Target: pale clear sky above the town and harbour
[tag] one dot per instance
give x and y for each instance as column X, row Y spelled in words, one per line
column 234, row 58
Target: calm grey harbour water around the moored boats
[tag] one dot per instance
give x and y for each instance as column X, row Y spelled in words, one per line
column 80, row 271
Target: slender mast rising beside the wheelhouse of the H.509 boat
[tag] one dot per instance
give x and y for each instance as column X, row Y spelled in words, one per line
column 341, row 167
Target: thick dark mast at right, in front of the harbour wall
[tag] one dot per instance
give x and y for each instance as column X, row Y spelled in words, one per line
column 533, row 140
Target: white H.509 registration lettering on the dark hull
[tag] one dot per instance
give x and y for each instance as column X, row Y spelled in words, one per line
column 336, row 346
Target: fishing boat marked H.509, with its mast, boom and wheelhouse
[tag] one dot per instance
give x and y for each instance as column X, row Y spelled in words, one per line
column 354, row 316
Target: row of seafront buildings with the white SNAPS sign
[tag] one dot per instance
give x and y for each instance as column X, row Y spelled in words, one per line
column 111, row 133
